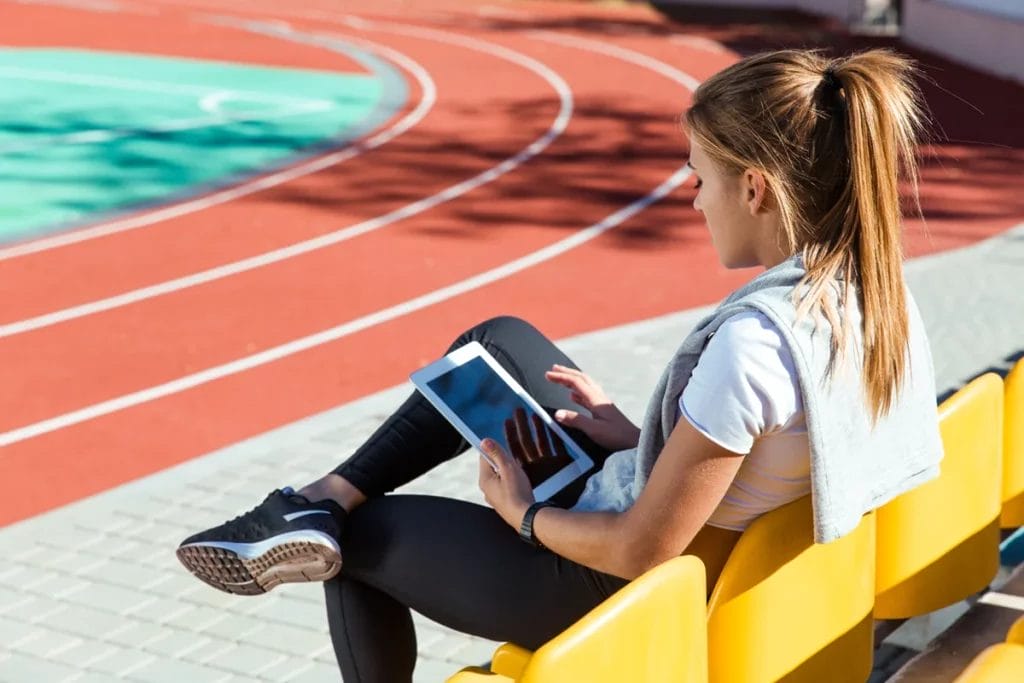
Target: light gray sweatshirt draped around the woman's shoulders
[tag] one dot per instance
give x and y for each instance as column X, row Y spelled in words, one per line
column 855, row 467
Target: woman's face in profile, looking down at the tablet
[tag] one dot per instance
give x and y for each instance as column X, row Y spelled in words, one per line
column 721, row 198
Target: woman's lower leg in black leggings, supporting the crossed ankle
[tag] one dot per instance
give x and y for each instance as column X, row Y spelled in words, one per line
column 457, row 564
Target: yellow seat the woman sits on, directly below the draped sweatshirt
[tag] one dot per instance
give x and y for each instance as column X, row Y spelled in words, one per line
column 786, row 609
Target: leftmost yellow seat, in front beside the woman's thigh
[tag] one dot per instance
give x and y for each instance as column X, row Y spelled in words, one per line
column 655, row 629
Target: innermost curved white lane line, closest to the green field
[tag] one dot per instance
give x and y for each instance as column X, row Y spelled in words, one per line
column 428, row 100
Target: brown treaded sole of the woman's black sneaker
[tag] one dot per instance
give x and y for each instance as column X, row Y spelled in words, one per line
column 231, row 572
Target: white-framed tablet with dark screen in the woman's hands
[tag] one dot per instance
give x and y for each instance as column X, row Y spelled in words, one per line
column 483, row 401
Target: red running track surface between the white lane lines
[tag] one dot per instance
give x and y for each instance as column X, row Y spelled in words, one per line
column 622, row 142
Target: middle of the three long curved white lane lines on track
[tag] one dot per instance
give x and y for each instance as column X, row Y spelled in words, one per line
column 447, row 195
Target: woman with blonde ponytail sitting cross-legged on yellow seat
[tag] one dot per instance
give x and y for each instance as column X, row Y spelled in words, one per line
column 816, row 376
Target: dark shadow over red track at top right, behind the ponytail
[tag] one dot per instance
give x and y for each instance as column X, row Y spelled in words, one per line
column 974, row 156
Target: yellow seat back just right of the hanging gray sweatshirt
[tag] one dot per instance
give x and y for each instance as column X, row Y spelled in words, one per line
column 938, row 544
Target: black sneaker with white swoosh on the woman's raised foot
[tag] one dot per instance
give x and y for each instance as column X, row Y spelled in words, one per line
column 285, row 539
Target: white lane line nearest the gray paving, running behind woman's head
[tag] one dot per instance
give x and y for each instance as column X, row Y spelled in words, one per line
column 404, row 309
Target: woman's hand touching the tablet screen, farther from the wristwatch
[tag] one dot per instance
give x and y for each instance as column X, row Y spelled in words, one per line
column 607, row 426
